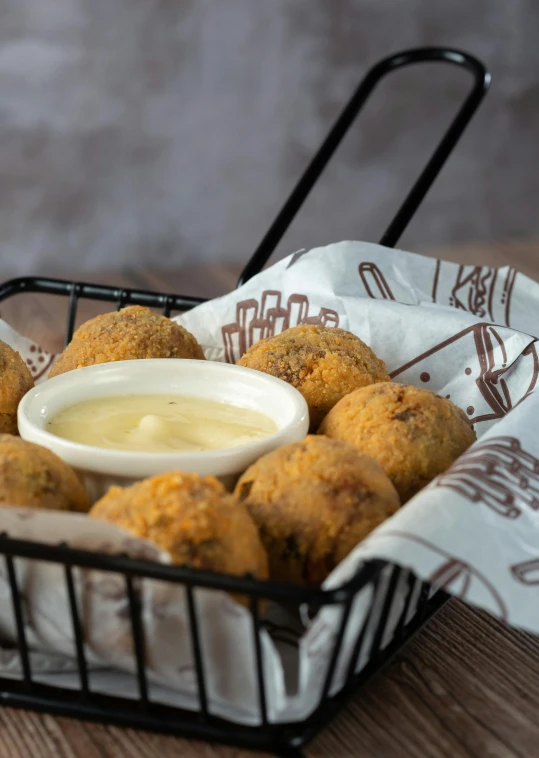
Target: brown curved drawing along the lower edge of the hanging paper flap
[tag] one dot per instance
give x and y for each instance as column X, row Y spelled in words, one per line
column 454, row 575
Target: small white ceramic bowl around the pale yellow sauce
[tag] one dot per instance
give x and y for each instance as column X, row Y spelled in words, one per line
column 99, row 468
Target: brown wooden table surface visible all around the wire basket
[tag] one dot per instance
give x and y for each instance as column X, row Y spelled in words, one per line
column 466, row 685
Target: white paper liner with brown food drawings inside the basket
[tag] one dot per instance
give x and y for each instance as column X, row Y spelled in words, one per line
column 462, row 331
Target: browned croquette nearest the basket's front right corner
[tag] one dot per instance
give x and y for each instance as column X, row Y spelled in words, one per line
column 312, row 502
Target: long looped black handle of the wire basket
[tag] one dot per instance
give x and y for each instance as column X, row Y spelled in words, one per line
column 414, row 198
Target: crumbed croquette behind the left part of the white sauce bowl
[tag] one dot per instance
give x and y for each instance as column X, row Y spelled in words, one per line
column 134, row 332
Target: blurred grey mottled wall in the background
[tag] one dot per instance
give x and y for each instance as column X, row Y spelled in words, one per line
column 168, row 131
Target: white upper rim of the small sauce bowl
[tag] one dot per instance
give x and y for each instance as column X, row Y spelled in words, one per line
column 126, row 462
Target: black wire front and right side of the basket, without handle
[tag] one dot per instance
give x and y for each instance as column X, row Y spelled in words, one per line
column 143, row 713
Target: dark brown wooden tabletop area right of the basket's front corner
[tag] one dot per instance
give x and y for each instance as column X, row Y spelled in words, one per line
column 466, row 686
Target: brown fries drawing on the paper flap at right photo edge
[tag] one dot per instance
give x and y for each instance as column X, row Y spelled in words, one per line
column 497, row 473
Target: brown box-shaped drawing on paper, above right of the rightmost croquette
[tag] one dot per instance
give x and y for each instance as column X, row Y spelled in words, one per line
column 487, row 368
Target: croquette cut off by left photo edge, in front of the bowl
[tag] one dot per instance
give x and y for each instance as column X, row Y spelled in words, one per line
column 32, row 476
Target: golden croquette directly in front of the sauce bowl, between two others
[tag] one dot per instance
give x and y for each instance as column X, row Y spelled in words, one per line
column 193, row 518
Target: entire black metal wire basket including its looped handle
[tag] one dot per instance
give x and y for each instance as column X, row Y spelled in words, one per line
column 284, row 739
